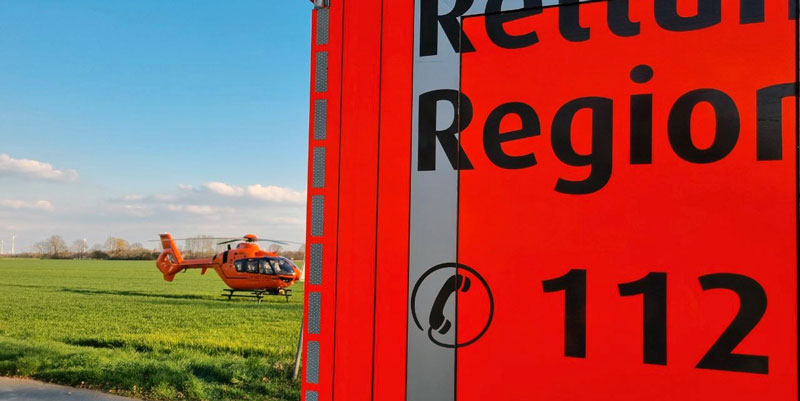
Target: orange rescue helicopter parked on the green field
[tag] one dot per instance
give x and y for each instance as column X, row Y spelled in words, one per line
column 244, row 268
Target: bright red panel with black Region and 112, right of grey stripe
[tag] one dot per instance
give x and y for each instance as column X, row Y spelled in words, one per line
column 628, row 195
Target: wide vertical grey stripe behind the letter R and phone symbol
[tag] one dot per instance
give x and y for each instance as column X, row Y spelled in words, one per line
column 433, row 224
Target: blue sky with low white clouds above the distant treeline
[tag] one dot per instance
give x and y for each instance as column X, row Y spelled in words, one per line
column 133, row 118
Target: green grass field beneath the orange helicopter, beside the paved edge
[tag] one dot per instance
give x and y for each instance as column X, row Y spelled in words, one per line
column 118, row 326
